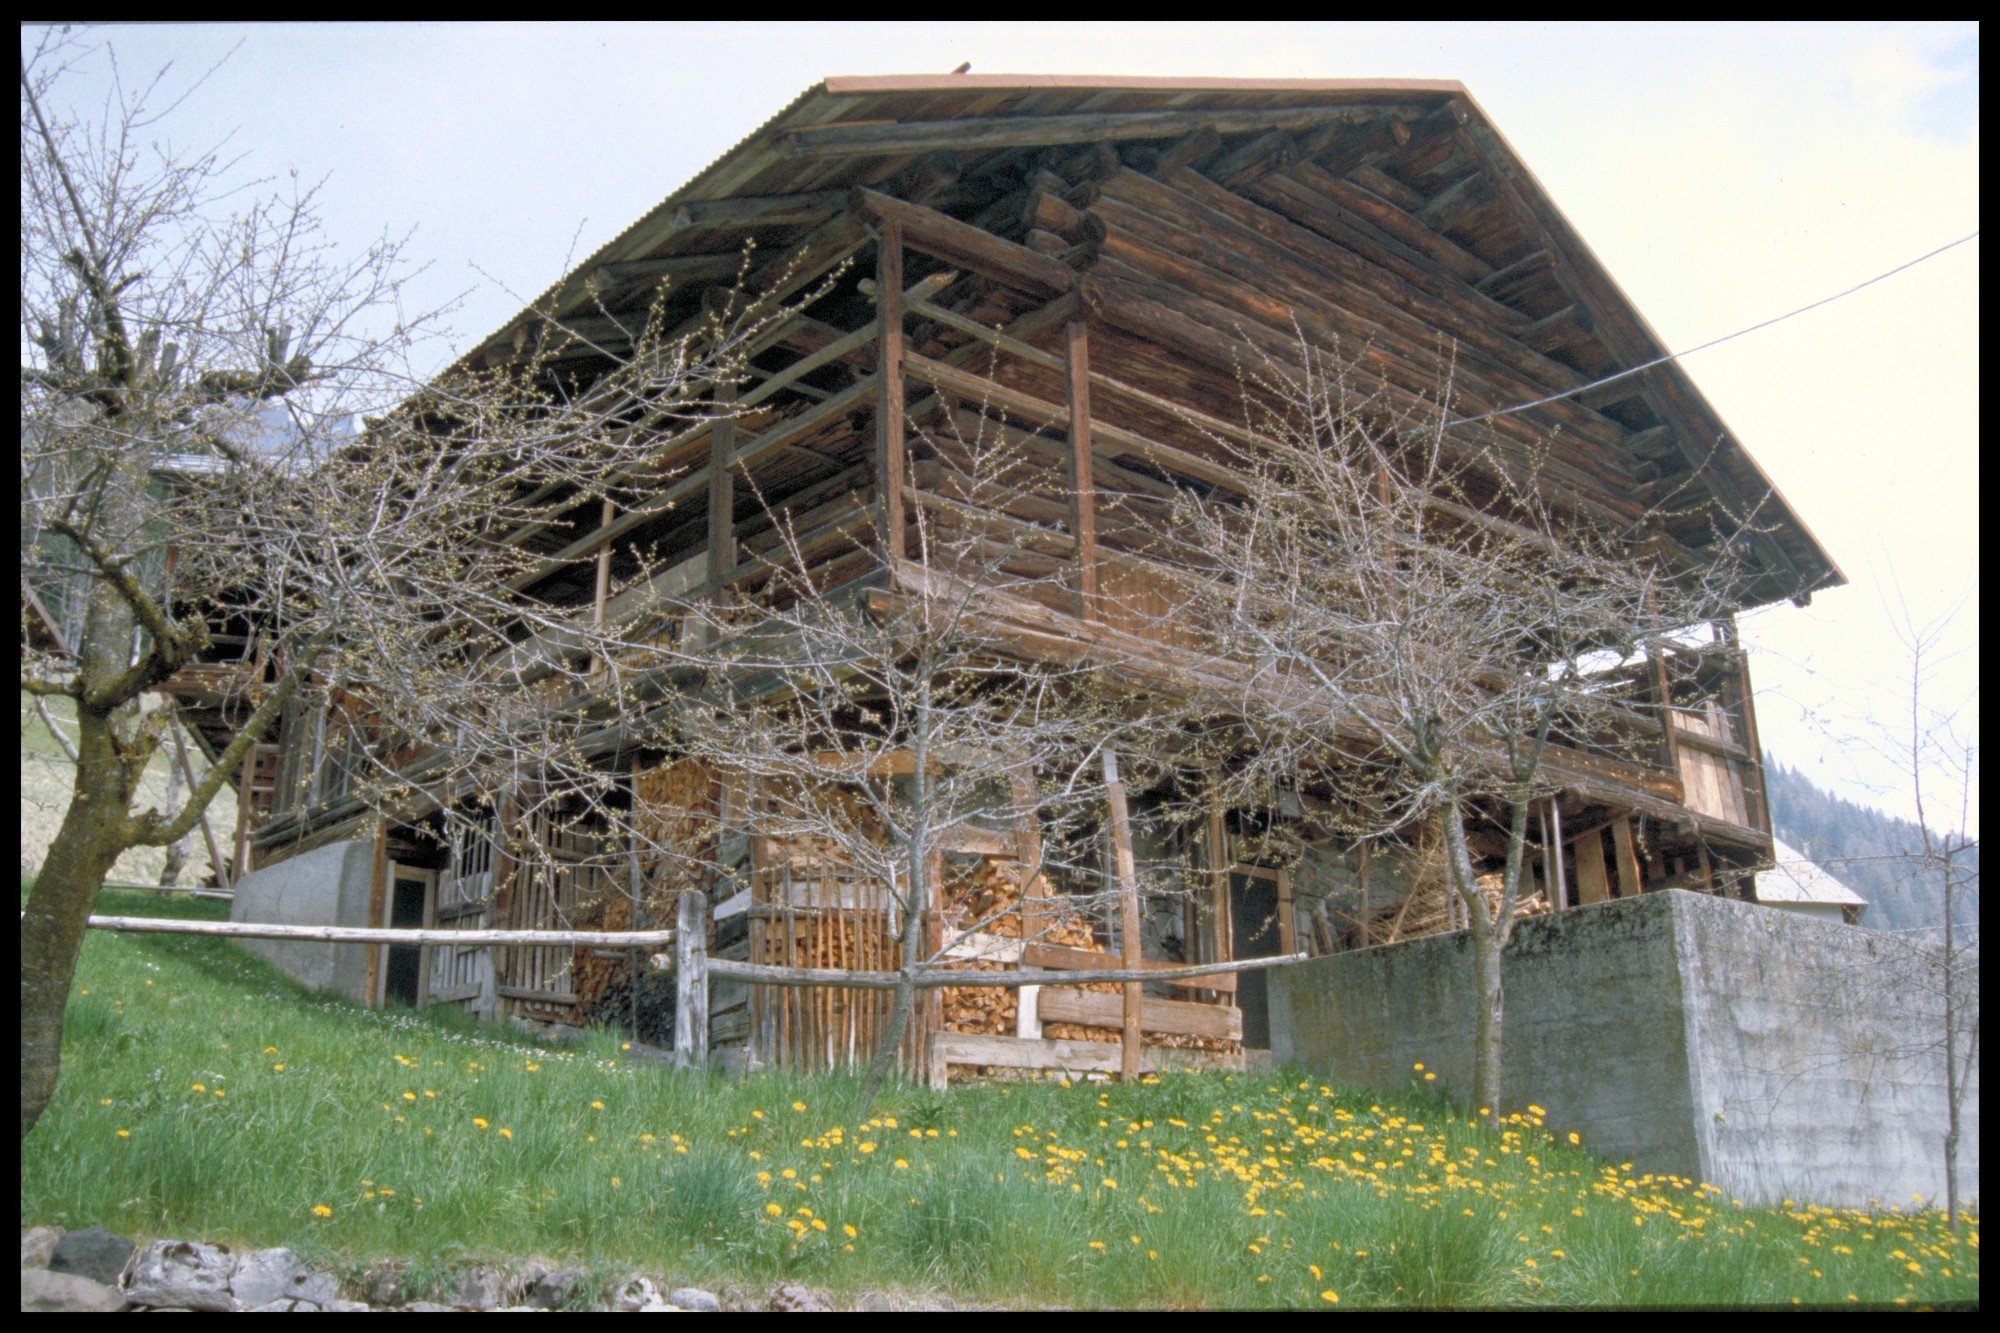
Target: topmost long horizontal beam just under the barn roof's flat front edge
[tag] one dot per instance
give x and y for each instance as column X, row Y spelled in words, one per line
column 979, row 133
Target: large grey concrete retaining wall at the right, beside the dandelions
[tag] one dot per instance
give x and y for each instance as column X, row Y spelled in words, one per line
column 1769, row 1054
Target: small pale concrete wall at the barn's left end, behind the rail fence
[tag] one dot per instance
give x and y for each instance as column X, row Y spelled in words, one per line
column 329, row 886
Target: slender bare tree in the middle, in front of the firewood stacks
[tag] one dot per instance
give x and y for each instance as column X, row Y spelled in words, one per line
column 885, row 724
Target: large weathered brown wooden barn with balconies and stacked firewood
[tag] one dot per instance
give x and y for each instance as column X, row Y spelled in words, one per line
column 1081, row 265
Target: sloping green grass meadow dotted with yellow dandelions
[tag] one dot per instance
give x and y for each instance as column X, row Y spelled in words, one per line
column 209, row 1098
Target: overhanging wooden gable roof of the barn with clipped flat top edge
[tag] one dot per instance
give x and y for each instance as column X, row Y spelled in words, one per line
column 1409, row 169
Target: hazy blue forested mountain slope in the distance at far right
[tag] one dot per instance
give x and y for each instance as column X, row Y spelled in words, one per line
column 1873, row 854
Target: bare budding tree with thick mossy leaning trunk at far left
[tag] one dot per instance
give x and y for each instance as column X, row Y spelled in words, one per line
column 193, row 491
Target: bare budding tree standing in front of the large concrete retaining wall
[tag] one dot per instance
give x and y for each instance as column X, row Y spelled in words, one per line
column 1417, row 617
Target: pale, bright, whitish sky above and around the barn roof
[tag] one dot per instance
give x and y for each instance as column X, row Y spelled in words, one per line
column 1725, row 175
